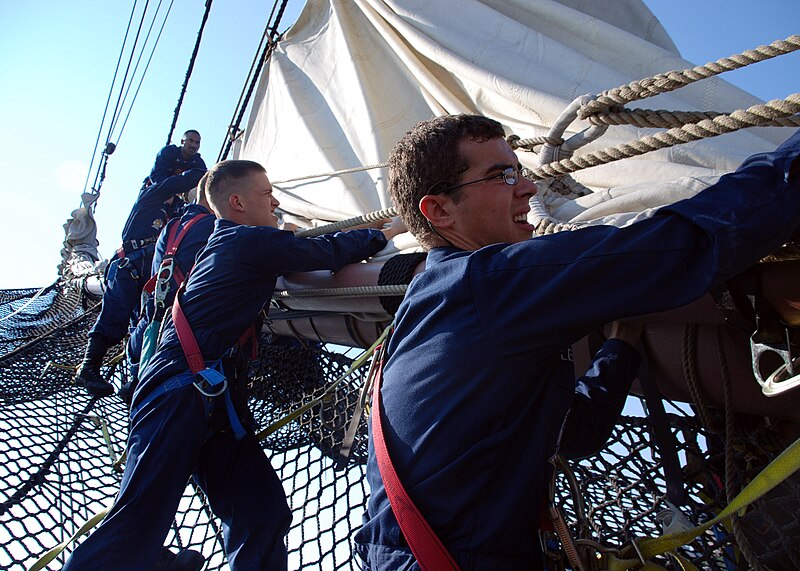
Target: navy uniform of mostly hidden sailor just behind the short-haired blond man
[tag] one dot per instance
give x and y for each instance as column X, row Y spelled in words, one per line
column 193, row 241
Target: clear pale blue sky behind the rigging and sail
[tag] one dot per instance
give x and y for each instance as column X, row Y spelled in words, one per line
column 57, row 61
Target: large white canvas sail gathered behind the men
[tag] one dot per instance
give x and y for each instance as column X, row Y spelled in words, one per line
column 351, row 77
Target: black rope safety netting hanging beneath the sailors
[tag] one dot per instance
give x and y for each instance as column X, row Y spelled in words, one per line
column 59, row 448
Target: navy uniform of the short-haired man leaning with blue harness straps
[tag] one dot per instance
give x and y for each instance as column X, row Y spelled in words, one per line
column 179, row 433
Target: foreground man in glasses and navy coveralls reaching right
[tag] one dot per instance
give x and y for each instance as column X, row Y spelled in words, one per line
column 478, row 377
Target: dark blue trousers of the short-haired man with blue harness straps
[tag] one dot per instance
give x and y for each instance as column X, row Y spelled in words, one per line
column 172, row 439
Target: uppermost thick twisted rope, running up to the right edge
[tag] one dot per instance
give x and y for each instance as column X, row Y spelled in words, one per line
column 672, row 80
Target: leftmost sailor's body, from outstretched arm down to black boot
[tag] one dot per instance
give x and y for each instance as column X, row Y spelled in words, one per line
column 127, row 273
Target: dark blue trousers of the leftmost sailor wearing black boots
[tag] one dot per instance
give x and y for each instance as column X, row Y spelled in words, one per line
column 124, row 282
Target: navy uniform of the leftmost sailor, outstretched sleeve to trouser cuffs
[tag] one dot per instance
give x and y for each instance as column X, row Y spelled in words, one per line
column 130, row 269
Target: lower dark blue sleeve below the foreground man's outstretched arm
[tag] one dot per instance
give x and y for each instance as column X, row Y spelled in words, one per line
column 600, row 396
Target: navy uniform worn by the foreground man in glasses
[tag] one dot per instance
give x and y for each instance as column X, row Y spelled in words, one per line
column 475, row 389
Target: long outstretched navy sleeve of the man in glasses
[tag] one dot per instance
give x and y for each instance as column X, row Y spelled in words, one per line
column 553, row 289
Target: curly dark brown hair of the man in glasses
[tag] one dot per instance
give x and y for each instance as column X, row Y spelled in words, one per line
column 428, row 157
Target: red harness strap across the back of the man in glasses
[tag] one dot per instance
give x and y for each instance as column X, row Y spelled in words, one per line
column 429, row 551
